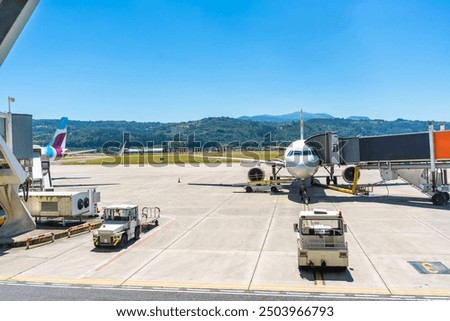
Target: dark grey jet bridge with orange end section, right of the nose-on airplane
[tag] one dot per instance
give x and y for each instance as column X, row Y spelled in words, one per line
column 421, row 159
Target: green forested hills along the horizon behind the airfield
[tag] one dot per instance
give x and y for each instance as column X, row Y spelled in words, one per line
column 93, row 134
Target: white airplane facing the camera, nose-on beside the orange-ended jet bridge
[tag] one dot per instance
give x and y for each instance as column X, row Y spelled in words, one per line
column 300, row 160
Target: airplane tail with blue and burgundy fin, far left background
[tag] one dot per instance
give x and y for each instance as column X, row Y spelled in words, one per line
column 56, row 149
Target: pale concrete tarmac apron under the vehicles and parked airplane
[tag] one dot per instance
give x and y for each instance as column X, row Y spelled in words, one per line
column 213, row 236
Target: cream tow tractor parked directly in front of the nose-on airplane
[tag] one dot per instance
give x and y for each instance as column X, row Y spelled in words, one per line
column 321, row 239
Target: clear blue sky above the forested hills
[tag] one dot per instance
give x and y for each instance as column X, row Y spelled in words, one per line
column 170, row 61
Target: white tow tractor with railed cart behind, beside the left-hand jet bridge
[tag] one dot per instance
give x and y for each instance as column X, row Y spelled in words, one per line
column 122, row 222
